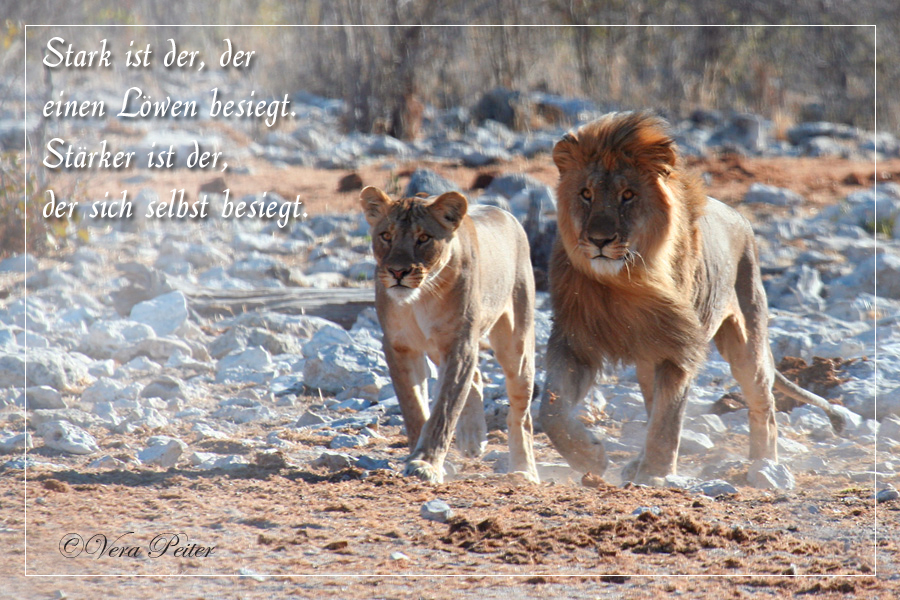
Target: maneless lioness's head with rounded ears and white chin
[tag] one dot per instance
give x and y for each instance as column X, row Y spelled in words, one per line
column 411, row 238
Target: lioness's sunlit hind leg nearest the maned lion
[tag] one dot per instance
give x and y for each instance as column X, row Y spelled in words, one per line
column 514, row 349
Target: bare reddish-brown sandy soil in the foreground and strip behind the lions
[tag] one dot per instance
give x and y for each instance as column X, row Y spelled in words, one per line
column 279, row 528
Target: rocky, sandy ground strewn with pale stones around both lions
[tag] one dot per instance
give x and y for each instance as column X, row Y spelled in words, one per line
column 275, row 437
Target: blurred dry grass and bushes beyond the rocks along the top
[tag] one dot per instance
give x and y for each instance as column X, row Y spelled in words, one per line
column 815, row 70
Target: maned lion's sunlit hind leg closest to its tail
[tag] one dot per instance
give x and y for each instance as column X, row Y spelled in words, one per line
column 751, row 365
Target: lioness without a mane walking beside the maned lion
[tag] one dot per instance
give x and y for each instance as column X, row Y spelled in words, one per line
column 447, row 275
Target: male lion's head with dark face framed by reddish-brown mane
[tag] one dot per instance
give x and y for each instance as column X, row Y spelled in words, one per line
column 614, row 204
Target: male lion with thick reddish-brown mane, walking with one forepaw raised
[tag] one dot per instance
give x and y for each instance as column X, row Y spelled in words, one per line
column 647, row 270
